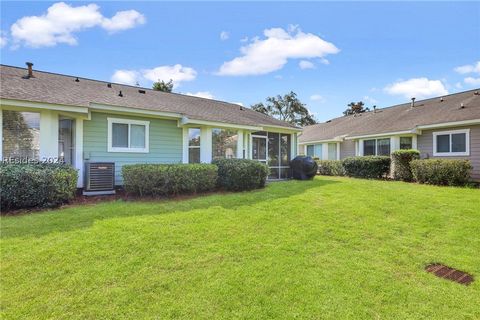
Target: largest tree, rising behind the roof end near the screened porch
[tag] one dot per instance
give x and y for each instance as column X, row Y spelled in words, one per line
column 287, row 108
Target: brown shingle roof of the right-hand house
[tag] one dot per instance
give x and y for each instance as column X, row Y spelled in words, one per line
column 397, row 118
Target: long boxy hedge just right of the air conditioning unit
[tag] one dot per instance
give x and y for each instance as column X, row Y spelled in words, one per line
column 168, row 179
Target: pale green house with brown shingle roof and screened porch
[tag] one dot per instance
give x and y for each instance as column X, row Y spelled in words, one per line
column 45, row 116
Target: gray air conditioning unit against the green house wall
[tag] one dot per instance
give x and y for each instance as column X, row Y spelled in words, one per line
column 99, row 178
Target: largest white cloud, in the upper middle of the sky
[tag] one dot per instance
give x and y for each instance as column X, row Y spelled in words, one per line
column 262, row 56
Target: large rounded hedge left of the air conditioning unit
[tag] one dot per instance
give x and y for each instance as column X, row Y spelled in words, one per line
column 36, row 185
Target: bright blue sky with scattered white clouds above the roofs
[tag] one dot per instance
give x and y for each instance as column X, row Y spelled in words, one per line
column 328, row 53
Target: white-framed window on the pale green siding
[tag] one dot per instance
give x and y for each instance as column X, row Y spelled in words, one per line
column 126, row 135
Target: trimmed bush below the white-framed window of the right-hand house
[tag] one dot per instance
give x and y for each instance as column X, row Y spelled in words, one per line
column 442, row 172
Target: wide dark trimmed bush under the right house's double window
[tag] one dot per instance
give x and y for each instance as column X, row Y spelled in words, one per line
column 370, row 167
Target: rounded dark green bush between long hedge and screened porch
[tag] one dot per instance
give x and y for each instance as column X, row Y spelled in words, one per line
column 241, row 174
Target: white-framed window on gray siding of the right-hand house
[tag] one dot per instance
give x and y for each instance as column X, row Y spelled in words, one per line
column 451, row 143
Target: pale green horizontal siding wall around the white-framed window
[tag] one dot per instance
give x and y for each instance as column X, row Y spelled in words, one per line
column 165, row 145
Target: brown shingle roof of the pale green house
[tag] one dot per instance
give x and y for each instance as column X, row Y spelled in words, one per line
column 55, row 88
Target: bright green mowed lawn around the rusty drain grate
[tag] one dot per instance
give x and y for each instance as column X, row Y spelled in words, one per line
column 331, row 248
